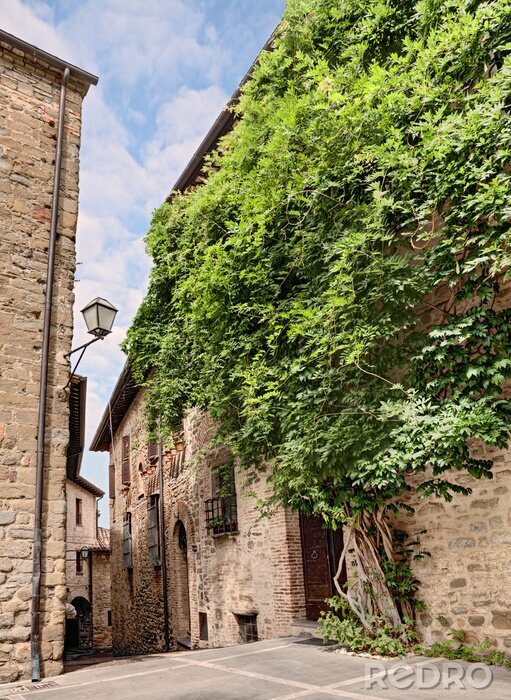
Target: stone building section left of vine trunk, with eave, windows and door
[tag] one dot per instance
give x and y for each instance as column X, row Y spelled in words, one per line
column 196, row 560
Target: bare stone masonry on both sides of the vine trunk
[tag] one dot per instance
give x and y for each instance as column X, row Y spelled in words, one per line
column 258, row 570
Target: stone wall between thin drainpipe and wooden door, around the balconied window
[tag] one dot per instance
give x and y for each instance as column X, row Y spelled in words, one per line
column 258, row 570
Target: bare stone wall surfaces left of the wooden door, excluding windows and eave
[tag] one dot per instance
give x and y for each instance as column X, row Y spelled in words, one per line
column 257, row 570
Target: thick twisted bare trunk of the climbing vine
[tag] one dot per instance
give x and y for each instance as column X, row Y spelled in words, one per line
column 366, row 591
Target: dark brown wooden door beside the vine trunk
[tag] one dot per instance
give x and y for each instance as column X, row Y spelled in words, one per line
column 320, row 550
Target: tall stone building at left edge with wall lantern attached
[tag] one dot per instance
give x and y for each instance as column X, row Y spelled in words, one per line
column 33, row 85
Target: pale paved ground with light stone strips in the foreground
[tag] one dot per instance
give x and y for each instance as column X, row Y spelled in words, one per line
column 281, row 669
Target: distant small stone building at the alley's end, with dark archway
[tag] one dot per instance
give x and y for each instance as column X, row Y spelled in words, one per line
column 88, row 581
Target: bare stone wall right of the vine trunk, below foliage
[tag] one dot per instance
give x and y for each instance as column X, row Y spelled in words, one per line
column 466, row 582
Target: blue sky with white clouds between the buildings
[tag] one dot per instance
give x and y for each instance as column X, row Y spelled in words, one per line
column 166, row 68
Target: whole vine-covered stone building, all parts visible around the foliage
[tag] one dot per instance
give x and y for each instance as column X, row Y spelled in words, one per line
column 201, row 565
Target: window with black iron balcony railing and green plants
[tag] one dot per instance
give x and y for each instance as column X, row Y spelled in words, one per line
column 221, row 509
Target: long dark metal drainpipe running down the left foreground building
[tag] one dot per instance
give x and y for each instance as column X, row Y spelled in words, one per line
column 43, row 387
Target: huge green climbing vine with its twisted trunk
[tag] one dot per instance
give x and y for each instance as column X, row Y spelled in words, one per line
column 334, row 296
